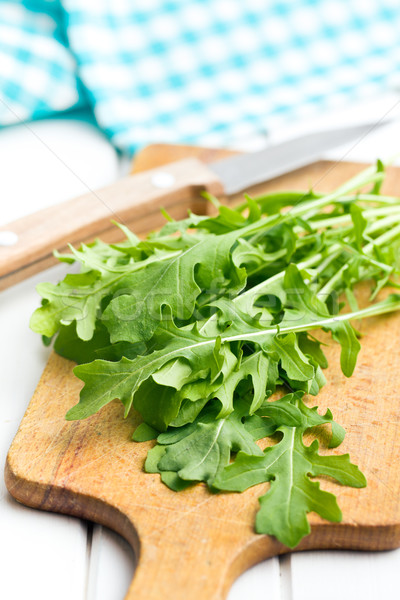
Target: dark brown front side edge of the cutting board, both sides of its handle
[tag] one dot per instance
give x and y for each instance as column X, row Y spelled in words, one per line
column 324, row 535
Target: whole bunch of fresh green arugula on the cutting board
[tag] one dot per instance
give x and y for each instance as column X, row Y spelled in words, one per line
column 198, row 330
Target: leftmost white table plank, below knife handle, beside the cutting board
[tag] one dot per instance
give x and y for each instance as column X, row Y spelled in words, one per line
column 38, row 551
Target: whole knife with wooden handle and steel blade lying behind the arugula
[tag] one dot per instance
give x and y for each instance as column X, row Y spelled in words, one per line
column 26, row 245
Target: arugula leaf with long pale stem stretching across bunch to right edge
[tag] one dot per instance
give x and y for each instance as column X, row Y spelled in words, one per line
column 105, row 381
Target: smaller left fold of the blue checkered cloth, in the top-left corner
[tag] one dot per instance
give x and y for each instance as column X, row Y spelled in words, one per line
column 37, row 70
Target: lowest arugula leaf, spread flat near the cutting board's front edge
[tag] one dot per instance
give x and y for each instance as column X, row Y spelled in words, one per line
column 288, row 466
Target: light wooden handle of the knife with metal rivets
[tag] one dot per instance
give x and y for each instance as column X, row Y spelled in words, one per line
column 134, row 201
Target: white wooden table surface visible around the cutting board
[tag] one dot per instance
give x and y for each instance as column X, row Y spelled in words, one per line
column 46, row 556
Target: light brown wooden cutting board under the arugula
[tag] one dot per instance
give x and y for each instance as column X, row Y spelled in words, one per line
column 193, row 544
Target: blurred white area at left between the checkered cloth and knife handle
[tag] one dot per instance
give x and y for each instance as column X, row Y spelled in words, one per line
column 47, row 162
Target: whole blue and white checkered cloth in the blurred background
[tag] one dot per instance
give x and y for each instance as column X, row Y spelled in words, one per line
column 199, row 71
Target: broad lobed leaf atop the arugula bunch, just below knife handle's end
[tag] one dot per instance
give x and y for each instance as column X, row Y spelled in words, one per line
column 175, row 283
